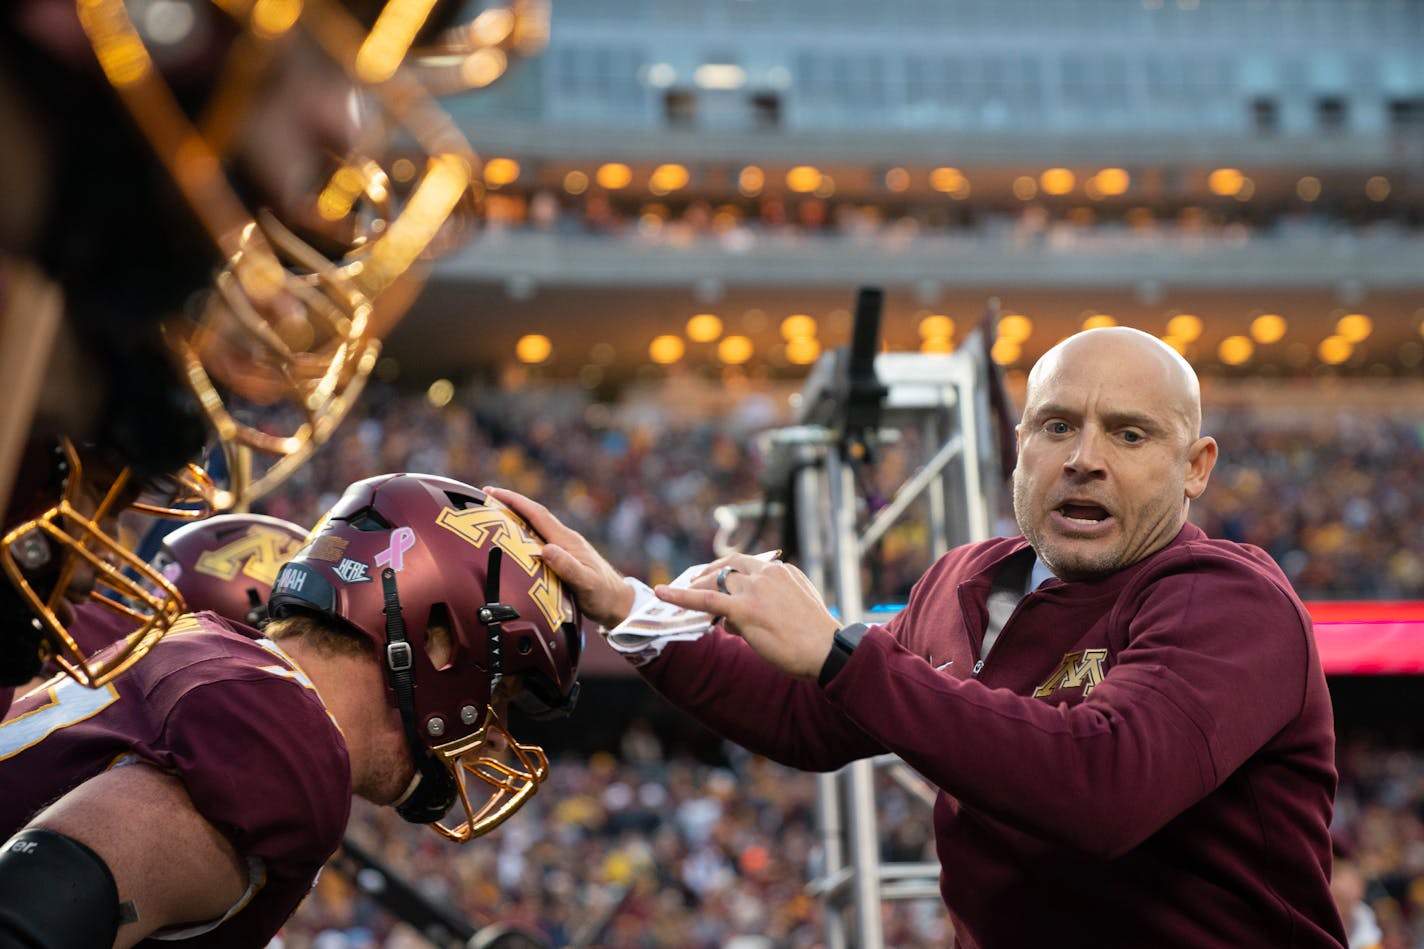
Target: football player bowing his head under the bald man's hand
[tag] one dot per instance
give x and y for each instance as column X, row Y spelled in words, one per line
column 197, row 796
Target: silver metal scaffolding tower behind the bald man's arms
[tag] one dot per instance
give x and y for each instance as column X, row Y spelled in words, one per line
column 941, row 404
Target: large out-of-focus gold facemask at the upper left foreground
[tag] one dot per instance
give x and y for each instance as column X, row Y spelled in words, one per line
column 290, row 324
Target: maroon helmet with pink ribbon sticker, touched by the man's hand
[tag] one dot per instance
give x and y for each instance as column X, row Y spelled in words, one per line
column 402, row 559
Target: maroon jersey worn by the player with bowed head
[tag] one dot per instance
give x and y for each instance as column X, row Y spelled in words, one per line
column 236, row 720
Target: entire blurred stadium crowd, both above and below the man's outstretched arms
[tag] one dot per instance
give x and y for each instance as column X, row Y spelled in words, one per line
column 646, row 843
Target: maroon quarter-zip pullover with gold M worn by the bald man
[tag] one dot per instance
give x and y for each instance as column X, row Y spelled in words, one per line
column 1143, row 760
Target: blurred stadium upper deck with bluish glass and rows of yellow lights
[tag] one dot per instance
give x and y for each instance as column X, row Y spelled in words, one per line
column 758, row 160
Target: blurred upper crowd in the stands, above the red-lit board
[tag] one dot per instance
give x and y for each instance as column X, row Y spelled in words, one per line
column 1334, row 497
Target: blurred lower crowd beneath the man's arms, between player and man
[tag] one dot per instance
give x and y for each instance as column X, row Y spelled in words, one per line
column 629, row 850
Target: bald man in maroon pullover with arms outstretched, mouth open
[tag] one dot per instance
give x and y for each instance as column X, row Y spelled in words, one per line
column 1127, row 722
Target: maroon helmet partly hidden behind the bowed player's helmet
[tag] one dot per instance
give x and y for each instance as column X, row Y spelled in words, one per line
column 229, row 564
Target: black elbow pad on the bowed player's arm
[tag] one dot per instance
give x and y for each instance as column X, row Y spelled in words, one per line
column 55, row 894
